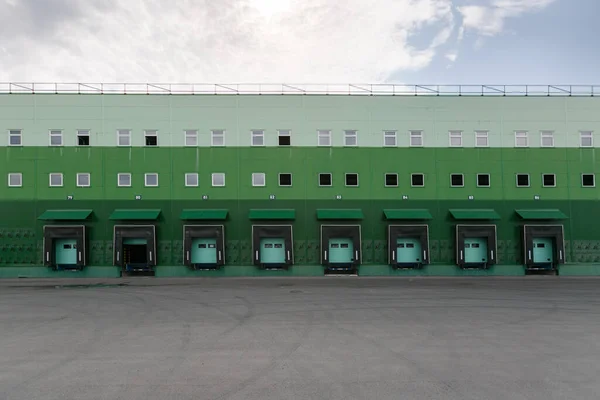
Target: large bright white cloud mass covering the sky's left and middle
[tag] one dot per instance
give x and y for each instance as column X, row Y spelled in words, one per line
column 217, row 41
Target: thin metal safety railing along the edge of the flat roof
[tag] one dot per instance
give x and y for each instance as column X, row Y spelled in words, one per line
column 355, row 89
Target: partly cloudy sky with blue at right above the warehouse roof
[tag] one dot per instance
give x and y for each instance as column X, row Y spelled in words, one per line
column 301, row 41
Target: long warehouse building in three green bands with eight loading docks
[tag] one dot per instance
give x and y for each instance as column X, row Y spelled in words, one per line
column 264, row 180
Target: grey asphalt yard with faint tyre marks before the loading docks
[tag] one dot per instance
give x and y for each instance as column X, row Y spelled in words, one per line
column 301, row 338
